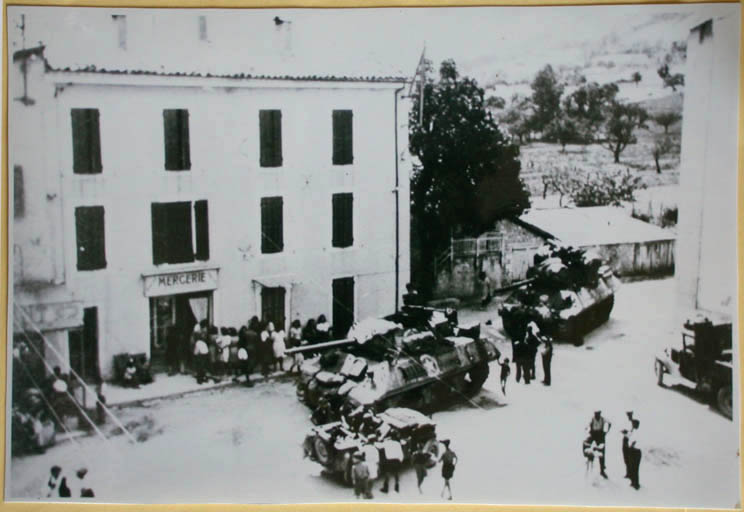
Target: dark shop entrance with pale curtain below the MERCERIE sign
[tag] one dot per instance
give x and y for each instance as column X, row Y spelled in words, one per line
column 172, row 320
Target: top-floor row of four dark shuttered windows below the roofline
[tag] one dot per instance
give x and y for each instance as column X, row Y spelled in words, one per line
column 86, row 139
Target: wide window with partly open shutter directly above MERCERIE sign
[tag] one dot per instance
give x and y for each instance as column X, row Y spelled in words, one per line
column 176, row 232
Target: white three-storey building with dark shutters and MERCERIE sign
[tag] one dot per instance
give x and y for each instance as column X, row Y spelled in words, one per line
column 159, row 182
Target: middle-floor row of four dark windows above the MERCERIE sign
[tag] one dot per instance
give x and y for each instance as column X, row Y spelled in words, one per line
column 180, row 230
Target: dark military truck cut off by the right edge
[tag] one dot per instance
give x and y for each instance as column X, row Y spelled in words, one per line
column 703, row 361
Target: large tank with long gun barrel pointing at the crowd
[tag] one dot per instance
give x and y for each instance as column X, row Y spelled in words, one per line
column 412, row 359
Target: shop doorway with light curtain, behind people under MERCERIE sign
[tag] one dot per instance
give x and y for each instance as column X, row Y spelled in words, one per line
column 182, row 311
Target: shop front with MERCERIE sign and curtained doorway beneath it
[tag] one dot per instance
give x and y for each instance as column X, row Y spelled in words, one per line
column 178, row 300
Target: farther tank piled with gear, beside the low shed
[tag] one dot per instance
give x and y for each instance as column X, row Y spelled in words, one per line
column 569, row 292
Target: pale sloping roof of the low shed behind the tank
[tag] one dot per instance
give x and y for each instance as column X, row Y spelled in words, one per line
column 598, row 225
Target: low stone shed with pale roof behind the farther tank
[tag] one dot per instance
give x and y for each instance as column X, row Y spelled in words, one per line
column 630, row 246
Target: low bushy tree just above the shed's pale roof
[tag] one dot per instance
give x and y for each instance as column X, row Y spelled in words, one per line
column 604, row 189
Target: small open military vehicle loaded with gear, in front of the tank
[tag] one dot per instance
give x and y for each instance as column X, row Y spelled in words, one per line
column 333, row 445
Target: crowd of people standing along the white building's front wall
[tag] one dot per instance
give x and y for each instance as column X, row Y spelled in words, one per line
column 213, row 353
